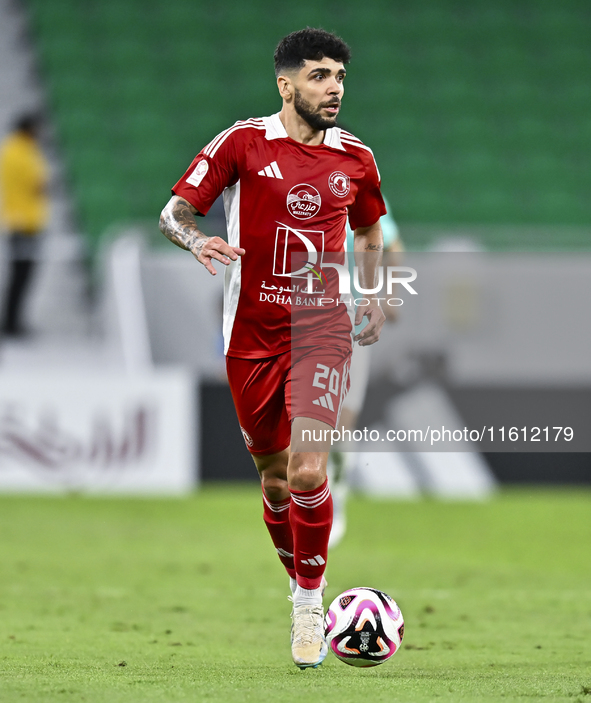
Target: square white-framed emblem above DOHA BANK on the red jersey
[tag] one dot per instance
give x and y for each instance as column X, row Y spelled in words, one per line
column 297, row 251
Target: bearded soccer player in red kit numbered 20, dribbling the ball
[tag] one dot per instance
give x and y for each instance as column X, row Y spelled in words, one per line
column 290, row 181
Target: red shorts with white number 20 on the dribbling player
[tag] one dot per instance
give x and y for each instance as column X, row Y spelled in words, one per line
column 269, row 393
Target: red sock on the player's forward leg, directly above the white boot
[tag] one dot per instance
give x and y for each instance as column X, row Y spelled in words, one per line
column 310, row 516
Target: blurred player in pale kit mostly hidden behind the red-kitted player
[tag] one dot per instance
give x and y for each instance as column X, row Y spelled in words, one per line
column 341, row 461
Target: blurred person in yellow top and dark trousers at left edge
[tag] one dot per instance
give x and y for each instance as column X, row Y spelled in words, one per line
column 24, row 210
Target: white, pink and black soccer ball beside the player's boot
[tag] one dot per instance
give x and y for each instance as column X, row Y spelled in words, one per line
column 363, row 627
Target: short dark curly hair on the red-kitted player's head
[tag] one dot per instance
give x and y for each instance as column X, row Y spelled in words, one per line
column 309, row 45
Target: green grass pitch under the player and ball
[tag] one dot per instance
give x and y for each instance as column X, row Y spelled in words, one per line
column 121, row 600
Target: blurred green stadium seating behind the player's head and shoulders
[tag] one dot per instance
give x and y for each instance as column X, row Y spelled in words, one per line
column 478, row 112
